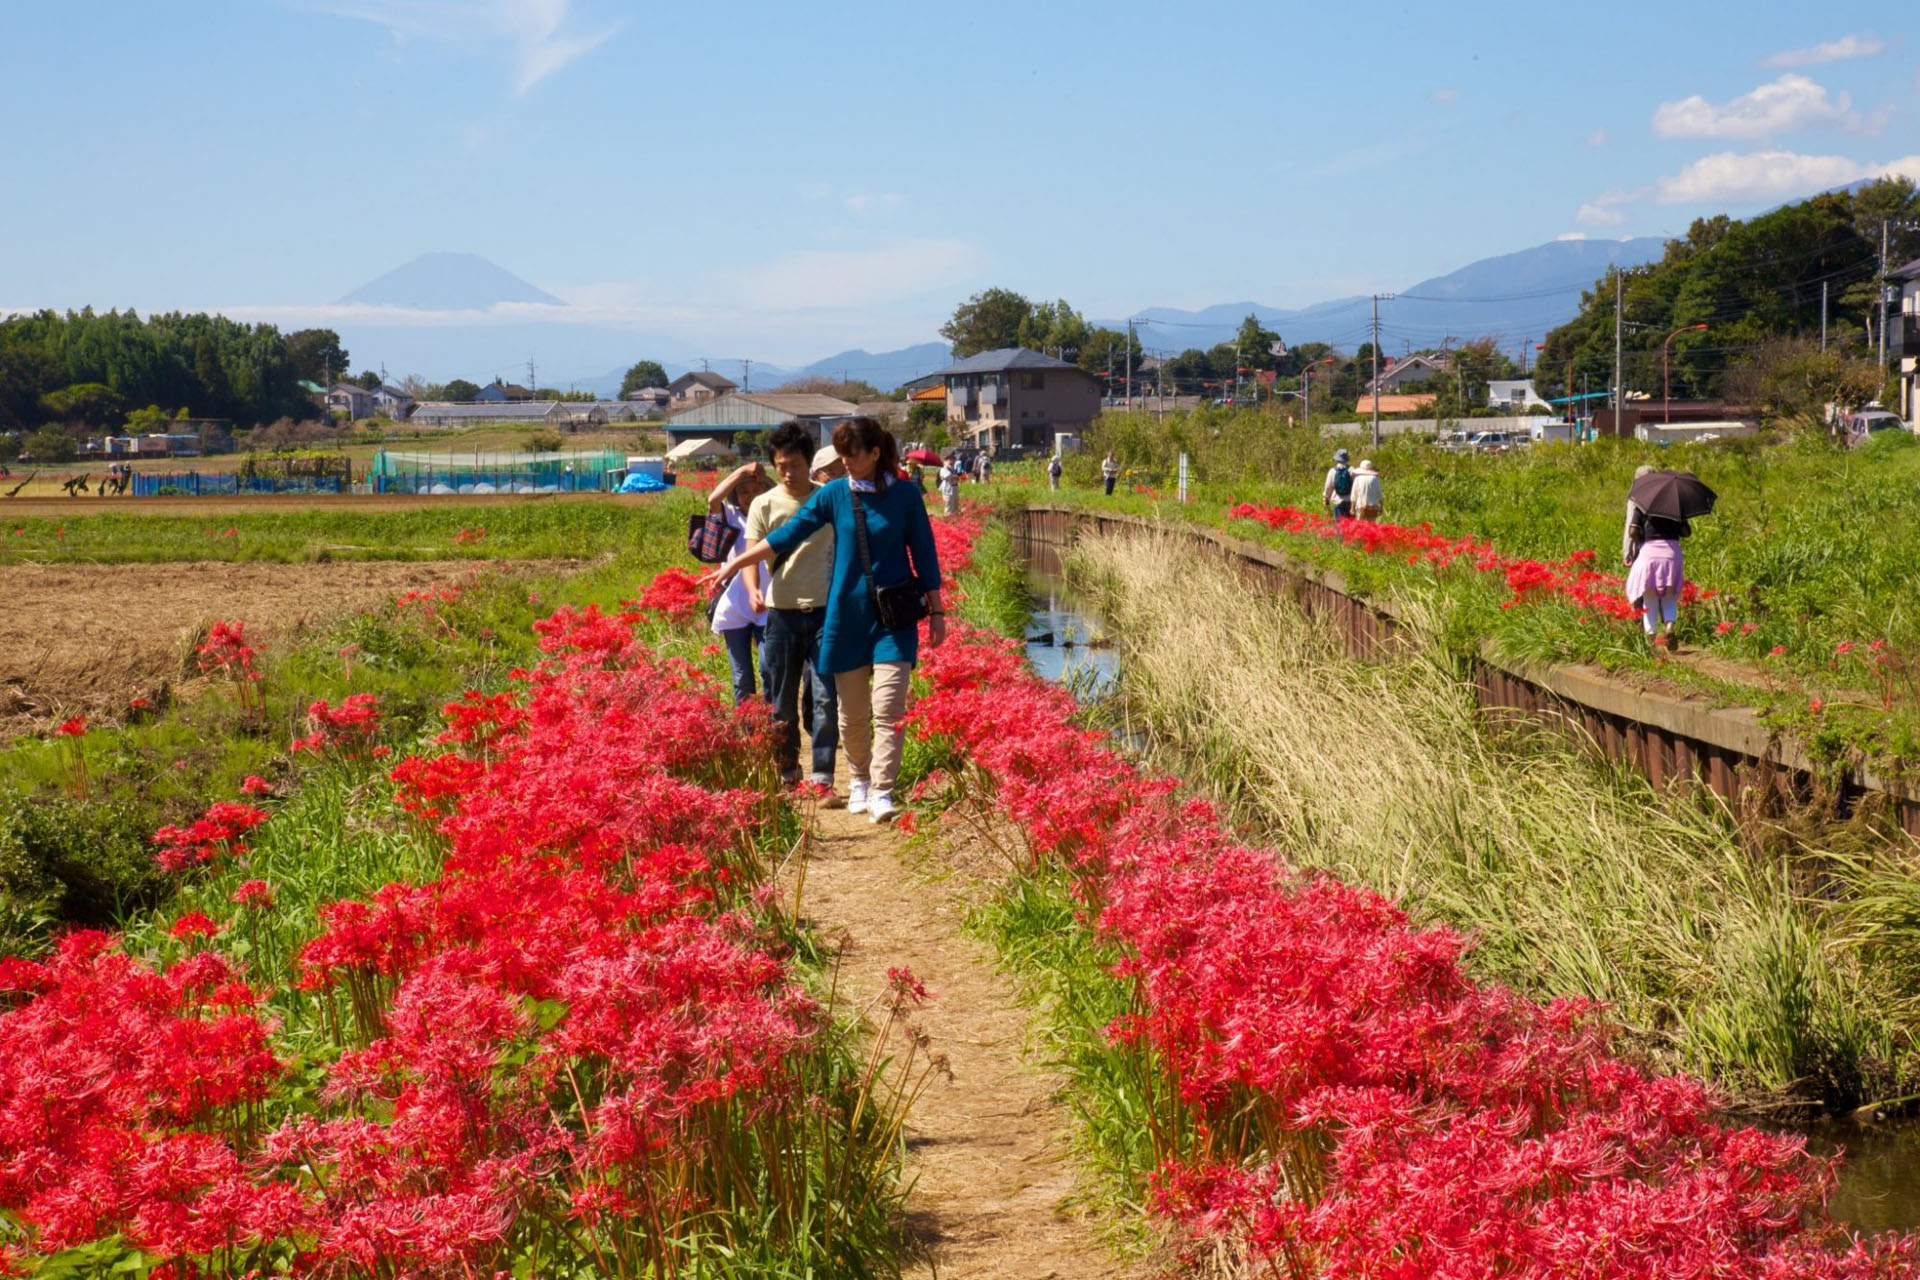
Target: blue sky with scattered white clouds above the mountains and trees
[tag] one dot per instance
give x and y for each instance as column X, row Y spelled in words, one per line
column 786, row 181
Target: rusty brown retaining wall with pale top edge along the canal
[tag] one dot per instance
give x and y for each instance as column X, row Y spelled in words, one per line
column 1669, row 740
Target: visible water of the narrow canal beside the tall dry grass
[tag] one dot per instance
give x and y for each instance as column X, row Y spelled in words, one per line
column 1881, row 1179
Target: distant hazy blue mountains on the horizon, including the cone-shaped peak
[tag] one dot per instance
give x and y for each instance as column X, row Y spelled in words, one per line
column 1514, row 298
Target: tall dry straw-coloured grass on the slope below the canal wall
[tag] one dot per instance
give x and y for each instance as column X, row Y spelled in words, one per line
column 1573, row 878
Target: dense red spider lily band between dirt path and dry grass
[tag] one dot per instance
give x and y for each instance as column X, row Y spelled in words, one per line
column 1343, row 1101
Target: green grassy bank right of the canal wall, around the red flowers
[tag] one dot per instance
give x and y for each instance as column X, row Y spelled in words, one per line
column 1810, row 554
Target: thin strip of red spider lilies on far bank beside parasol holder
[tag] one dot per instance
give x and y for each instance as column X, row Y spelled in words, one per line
column 1573, row 581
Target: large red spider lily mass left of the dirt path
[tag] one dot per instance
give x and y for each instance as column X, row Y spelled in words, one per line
column 575, row 1051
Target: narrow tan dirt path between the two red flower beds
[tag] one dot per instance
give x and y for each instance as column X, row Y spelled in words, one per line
column 988, row 1150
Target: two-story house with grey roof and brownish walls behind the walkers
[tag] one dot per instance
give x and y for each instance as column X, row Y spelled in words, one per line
column 1019, row 398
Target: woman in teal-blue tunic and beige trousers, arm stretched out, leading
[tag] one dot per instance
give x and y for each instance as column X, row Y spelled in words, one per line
column 873, row 667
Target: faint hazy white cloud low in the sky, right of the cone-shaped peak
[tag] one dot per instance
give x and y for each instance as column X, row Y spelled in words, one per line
column 825, row 279
